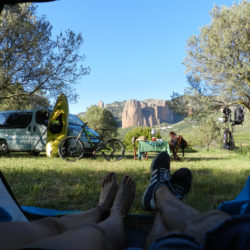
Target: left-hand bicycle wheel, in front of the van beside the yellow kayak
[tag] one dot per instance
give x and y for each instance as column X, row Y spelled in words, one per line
column 71, row 149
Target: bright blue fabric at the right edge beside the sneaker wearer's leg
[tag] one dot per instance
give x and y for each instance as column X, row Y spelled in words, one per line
column 240, row 205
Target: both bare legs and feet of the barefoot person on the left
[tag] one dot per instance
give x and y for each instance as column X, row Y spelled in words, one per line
column 88, row 230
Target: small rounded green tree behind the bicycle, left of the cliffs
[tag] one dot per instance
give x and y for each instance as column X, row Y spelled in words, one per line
column 99, row 118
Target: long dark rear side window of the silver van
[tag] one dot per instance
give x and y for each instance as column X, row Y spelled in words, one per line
column 15, row 119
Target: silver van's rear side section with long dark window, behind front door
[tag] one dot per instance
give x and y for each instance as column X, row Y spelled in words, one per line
column 15, row 127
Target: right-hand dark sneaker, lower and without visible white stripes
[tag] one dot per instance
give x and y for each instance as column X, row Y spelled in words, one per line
column 181, row 182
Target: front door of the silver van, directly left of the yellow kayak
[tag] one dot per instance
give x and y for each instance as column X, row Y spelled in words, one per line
column 38, row 130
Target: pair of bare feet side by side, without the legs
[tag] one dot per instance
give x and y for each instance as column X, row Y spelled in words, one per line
column 114, row 197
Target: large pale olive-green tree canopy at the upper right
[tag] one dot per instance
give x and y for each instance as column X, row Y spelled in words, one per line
column 217, row 60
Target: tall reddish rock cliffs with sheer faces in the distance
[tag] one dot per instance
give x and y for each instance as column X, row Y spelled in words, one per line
column 148, row 113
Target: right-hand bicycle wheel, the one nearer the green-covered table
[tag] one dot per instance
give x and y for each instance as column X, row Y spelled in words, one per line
column 113, row 150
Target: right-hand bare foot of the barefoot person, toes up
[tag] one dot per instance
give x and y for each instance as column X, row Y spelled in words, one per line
column 125, row 195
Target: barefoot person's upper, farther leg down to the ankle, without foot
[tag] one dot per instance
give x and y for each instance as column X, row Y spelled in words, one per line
column 16, row 234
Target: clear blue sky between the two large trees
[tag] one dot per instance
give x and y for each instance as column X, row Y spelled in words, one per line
column 134, row 48
